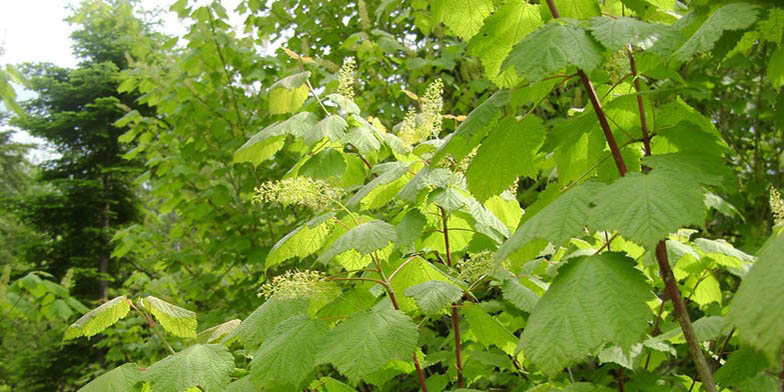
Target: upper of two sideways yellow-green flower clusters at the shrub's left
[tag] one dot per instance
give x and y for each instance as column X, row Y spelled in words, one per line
column 302, row 191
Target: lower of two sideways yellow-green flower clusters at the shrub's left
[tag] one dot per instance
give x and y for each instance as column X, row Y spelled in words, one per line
column 296, row 284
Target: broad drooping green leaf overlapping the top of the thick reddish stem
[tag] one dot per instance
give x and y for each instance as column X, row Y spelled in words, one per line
column 553, row 47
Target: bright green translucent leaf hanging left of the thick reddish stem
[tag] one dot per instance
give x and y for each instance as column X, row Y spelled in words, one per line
column 510, row 151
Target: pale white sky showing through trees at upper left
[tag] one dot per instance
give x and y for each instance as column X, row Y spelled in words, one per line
column 35, row 31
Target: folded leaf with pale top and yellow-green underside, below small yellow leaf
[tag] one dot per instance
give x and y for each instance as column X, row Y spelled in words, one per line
column 270, row 140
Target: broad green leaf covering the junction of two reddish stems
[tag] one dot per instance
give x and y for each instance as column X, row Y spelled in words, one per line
column 645, row 208
